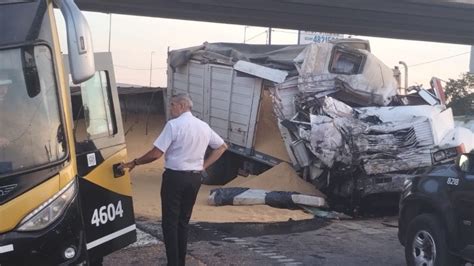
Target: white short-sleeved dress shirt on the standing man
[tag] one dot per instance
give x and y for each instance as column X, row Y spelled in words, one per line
column 184, row 141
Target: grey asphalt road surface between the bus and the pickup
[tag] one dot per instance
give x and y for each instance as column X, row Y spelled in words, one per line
column 310, row 242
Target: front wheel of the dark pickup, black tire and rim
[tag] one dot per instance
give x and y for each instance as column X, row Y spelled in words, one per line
column 426, row 243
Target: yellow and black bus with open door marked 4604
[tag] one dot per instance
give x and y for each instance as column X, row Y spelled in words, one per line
column 62, row 200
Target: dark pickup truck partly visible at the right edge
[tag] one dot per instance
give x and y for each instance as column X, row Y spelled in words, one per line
column 436, row 215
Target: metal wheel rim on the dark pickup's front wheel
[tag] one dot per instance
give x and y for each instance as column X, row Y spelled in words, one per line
column 424, row 248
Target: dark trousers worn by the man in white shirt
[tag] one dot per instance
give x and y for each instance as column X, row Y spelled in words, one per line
column 178, row 194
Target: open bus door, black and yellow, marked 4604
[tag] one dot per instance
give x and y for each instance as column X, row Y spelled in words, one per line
column 100, row 144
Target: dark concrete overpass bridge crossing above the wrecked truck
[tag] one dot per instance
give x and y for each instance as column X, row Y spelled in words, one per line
column 449, row 21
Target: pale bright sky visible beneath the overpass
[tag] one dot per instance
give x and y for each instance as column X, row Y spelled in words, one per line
column 138, row 42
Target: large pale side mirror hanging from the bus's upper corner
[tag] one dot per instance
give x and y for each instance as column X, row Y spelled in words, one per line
column 79, row 42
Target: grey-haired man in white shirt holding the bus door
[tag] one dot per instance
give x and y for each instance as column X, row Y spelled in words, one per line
column 184, row 141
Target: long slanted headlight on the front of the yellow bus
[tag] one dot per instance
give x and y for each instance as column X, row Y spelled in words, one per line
column 50, row 210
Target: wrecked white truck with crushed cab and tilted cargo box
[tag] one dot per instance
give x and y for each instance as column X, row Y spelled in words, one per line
column 333, row 110
